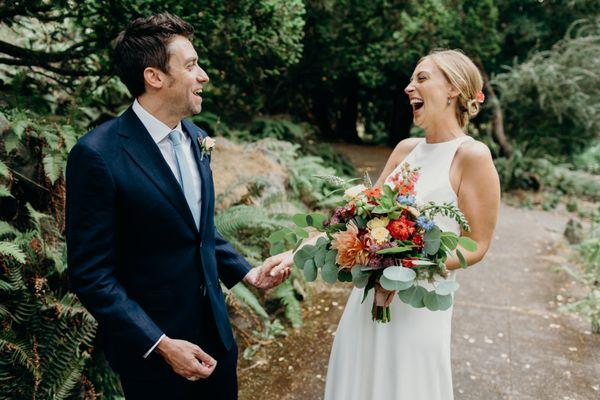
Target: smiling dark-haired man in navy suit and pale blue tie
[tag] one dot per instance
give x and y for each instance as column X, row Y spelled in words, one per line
column 144, row 255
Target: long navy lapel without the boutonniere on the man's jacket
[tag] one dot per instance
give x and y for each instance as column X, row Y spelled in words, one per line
column 145, row 153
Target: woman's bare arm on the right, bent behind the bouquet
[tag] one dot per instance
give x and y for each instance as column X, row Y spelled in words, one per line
column 478, row 199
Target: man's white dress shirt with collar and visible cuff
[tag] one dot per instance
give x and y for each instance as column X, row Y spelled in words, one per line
column 160, row 134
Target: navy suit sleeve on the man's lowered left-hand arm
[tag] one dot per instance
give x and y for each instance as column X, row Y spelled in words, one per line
column 90, row 231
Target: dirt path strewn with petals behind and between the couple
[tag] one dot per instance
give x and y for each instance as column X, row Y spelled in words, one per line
column 508, row 340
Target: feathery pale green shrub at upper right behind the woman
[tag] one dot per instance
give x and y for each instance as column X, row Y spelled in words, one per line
column 552, row 100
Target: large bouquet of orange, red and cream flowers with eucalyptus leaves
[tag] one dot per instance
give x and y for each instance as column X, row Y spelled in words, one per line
column 381, row 236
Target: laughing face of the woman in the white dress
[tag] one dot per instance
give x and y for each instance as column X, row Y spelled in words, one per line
column 428, row 93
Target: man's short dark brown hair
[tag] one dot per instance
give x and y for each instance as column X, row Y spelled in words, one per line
column 144, row 44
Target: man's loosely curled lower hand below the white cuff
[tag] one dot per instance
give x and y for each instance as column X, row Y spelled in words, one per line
column 186, row 359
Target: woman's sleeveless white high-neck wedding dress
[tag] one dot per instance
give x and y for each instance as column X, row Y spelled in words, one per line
column 409, row 357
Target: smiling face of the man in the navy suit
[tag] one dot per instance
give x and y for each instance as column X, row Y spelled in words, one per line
column 185, row 78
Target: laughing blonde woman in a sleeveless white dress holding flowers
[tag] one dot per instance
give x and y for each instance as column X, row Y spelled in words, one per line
column 409, row 357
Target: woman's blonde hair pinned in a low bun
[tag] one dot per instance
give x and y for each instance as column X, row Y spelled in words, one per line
column 460, row 72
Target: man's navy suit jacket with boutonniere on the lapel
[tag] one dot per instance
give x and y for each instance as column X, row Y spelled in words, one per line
column 136, row 259
